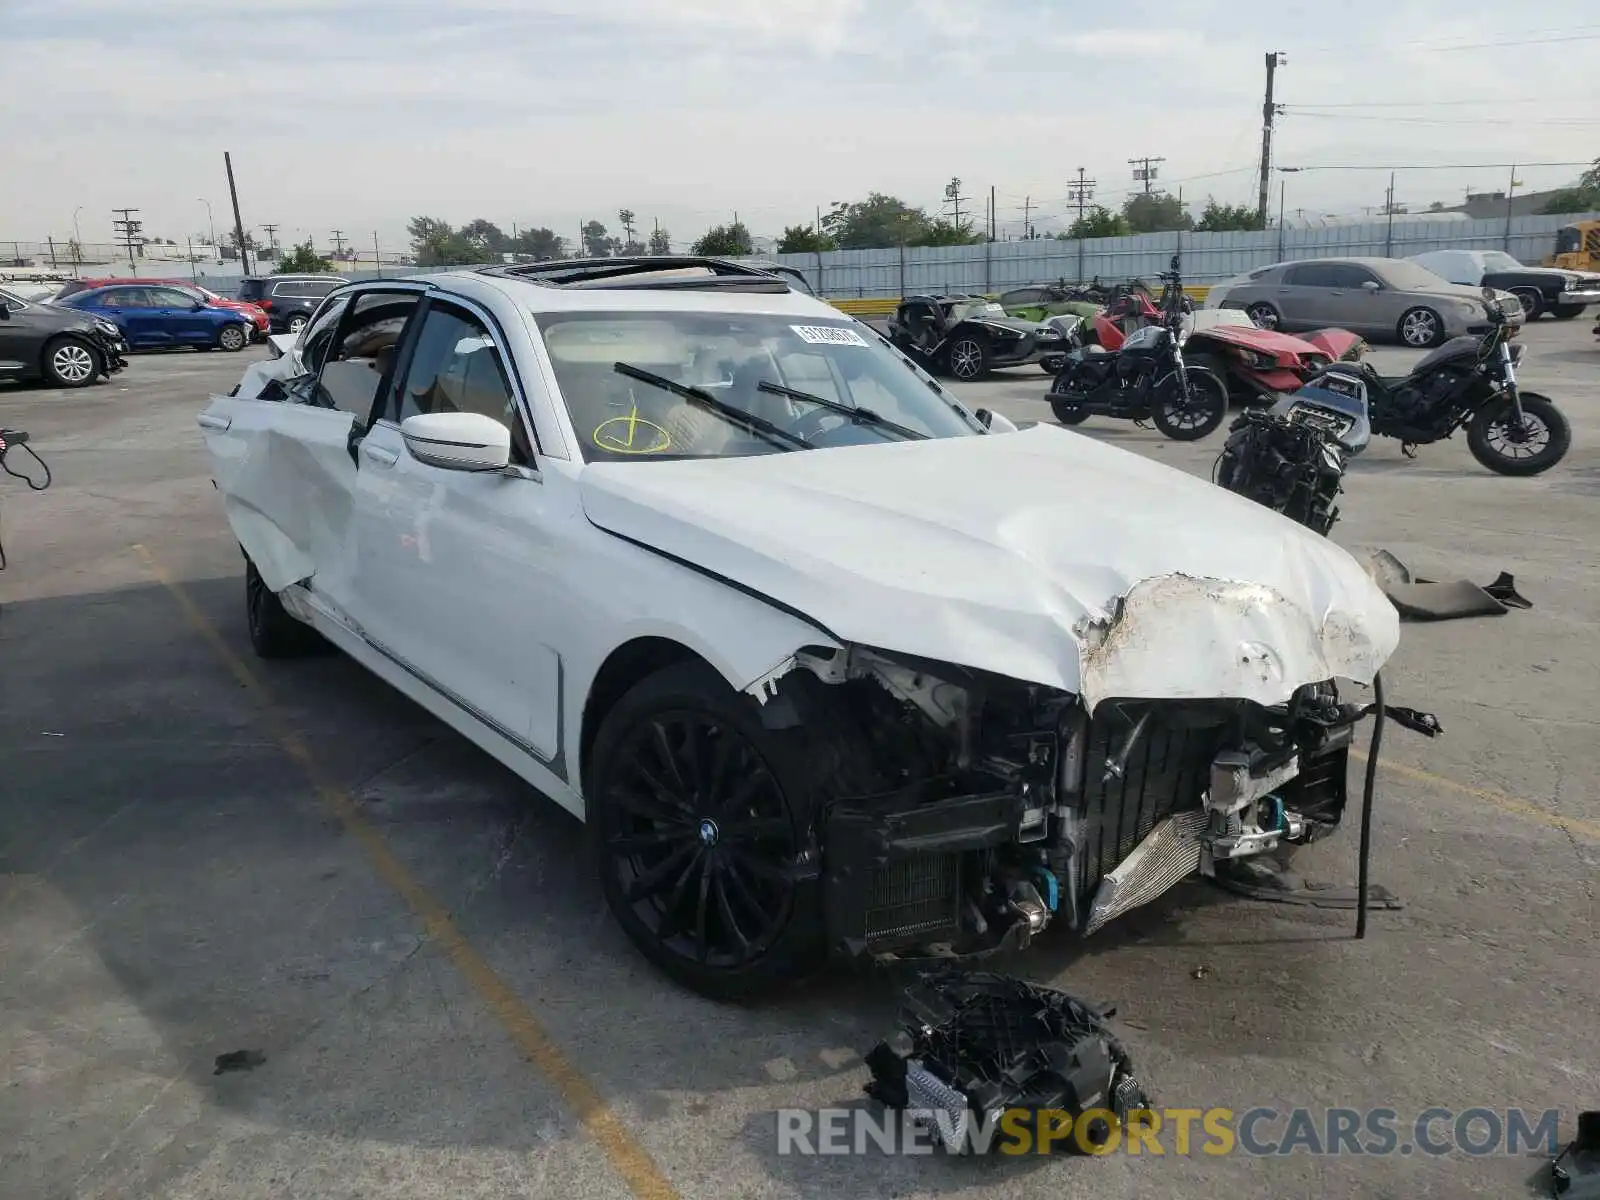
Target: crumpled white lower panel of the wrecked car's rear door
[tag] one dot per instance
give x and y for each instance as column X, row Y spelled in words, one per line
column 289, row 484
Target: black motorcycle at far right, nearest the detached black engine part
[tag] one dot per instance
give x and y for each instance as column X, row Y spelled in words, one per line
column 1468, row 383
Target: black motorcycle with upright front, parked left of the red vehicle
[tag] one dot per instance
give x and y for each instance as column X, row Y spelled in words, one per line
column 1146, row 380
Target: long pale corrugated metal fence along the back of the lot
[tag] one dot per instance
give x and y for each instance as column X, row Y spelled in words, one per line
column 1207, row 258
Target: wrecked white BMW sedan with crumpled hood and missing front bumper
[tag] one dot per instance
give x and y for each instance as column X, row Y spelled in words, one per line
column 828, row 666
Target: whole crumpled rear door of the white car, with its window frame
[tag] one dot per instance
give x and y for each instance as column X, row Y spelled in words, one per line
column 287, row 468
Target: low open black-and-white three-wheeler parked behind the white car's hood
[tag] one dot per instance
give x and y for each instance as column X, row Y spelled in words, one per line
column 967, row 337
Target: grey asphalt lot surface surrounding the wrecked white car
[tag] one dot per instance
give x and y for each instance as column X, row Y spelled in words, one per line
column 202, row 854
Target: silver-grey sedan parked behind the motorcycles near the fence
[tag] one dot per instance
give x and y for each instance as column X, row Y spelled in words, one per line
column 1374, row 297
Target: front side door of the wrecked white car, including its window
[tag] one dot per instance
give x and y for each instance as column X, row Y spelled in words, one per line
column 458, row 574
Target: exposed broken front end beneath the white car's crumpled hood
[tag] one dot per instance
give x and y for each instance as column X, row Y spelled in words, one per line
column 1017, row 809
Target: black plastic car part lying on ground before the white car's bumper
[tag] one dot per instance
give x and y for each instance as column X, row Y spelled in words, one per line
column 975, row 1046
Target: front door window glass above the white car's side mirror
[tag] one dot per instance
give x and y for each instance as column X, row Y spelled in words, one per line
column 458, row 369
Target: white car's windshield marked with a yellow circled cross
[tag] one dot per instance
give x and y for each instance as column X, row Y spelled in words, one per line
column 622, row 417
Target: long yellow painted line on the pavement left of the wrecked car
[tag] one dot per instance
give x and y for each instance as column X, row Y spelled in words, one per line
column 631, row 1161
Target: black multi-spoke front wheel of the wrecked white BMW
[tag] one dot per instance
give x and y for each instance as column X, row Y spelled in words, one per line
column 703, row 865
